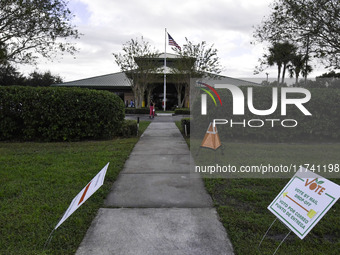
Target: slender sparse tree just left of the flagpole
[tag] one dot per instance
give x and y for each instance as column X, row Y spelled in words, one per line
column 137, row 62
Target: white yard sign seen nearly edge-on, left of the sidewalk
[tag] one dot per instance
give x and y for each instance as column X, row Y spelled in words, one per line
column 83, row 195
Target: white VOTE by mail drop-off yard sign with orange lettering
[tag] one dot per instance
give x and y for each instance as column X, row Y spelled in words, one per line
column 304, row 201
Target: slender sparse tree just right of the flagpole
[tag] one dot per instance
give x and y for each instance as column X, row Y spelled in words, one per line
column 195, row 61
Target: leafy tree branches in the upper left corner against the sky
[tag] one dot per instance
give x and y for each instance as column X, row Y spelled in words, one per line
column 29, row 28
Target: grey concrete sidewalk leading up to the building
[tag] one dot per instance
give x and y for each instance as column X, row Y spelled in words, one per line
column 155, row 206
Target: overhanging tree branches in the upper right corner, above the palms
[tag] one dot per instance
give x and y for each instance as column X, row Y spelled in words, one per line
column 313, row 25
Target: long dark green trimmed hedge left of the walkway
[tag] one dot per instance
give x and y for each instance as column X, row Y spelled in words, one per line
column 58, row 114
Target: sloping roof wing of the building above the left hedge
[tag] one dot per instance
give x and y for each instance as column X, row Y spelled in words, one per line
column 108, row 81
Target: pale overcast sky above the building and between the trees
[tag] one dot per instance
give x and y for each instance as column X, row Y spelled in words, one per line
column 107, row 24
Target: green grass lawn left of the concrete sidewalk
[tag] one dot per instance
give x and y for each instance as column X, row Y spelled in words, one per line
column 39, row 180
